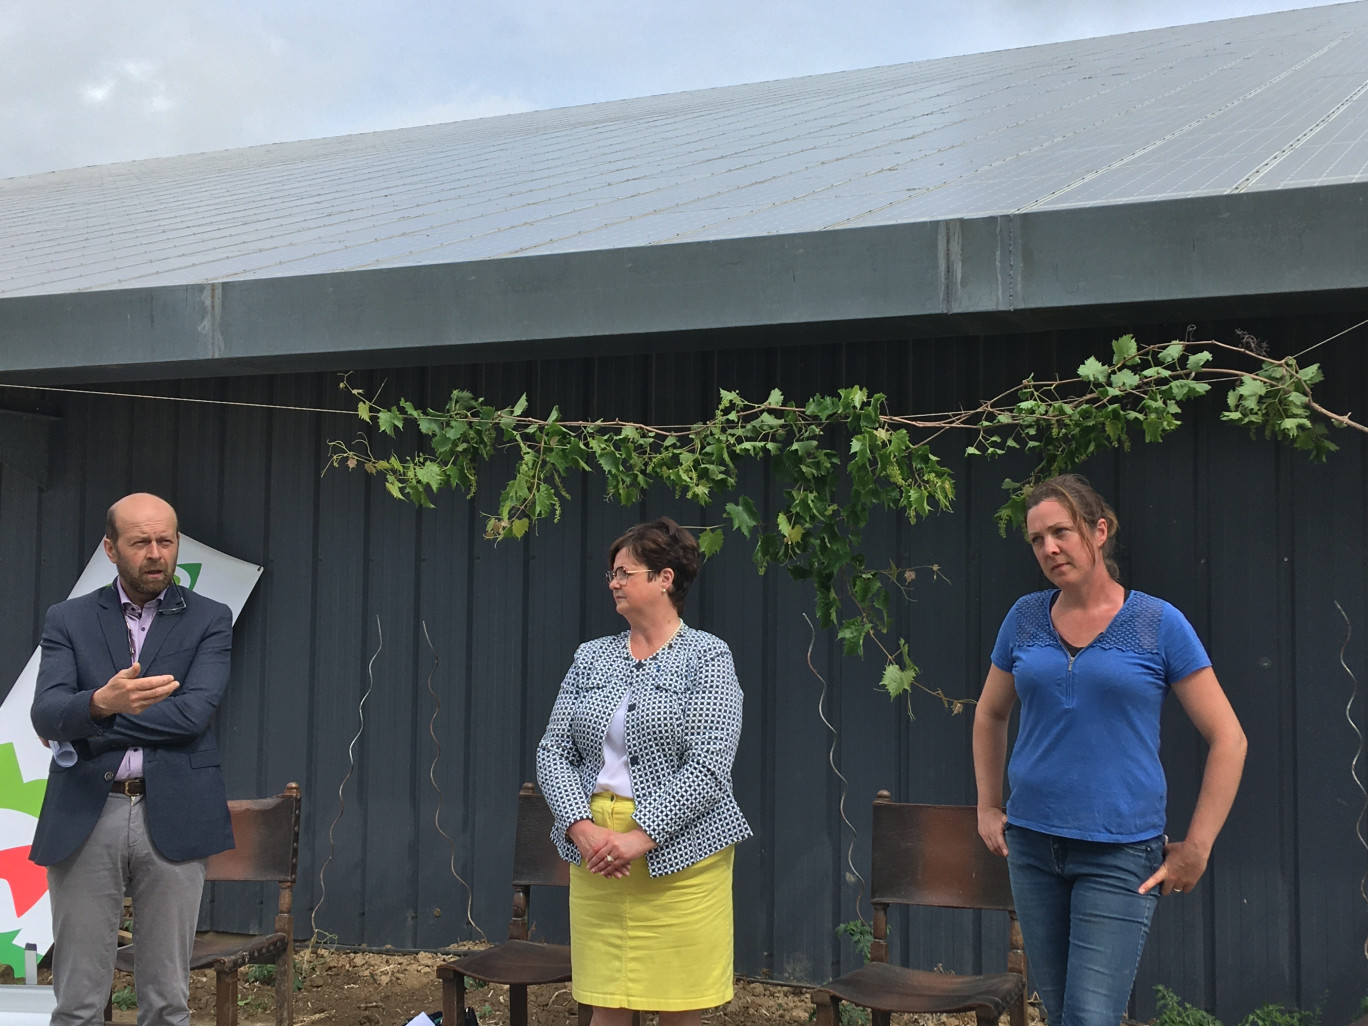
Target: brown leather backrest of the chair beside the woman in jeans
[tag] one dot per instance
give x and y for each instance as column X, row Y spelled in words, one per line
column 932, row 856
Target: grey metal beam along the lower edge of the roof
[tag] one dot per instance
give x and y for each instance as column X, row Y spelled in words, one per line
column 1003, row 270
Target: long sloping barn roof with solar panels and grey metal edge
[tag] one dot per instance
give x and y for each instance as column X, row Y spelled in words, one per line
column 1174, row 166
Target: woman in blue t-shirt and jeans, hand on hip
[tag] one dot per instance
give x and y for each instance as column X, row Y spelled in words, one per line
column 1084, row 830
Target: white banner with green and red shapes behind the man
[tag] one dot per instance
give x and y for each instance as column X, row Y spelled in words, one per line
column 27, row 919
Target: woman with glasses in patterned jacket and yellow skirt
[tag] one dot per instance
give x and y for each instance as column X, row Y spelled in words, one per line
column 637, row 767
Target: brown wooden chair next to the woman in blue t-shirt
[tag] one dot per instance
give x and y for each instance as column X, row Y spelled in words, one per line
column 931, row 856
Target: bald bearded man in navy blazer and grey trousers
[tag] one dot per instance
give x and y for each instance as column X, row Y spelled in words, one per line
column 131, row 676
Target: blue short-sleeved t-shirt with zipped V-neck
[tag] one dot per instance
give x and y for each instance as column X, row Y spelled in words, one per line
column 1087, row 757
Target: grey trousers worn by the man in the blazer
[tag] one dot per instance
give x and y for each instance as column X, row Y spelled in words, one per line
column 87, row 893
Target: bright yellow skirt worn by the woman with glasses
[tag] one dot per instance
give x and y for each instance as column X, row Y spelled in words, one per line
column 655, row 945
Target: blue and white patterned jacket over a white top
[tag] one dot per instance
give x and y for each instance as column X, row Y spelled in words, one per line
column 683, row 724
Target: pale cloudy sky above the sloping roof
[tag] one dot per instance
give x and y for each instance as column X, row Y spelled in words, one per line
column 102, row 81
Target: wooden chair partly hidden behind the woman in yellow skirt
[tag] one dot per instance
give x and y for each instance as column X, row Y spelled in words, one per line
column 519, row 962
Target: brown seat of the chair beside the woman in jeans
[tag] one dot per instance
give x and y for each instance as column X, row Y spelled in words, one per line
column 897, row 990
